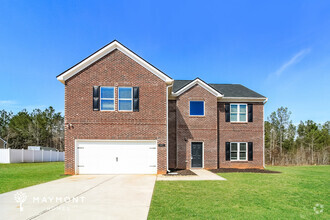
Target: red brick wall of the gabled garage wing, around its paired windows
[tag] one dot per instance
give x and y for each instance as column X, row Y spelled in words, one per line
column 115, row 69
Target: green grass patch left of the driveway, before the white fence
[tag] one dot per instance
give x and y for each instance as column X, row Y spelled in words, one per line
column 19, row 175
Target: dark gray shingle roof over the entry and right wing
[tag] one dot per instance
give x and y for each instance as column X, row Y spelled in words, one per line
column 228, row 90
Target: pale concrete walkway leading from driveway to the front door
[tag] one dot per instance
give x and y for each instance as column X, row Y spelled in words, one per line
column 202, row 174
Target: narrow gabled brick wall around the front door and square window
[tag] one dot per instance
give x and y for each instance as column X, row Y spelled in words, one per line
column 196, row 128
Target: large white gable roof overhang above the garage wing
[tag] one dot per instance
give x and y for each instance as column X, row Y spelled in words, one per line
column 106, row 50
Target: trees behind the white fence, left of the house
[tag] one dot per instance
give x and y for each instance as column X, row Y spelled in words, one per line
column 38, row 128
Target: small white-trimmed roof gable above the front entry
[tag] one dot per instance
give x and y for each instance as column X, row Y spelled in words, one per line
column 187, row 85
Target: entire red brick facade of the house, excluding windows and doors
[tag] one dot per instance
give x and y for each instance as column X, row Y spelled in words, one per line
column 149, row 123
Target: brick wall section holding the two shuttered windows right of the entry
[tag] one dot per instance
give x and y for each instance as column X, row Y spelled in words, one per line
column 242, row 132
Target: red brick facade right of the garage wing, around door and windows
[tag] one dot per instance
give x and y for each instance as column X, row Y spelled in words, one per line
column 213, row 131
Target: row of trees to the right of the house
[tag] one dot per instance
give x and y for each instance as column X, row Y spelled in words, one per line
column 288, row 144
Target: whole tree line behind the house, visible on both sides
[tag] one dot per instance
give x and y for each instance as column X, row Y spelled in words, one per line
column 285, row 143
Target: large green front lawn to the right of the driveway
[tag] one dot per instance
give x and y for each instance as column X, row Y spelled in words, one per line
column 289, row 195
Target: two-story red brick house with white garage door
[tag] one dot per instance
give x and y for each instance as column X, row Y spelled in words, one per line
column 123, row 116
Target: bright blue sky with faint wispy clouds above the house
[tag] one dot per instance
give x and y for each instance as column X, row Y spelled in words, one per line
column 280, row 49
